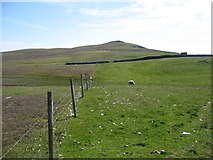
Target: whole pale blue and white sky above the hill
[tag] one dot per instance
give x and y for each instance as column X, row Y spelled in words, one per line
column 169, row 25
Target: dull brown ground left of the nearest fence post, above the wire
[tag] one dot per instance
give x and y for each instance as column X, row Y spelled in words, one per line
column 19, row 113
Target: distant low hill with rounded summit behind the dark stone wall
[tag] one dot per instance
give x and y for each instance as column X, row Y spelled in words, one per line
column 113, row 49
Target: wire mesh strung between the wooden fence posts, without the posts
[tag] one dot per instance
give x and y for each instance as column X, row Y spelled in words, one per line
column 34, row 142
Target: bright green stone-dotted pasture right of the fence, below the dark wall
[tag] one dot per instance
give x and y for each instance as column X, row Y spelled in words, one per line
column 170, row 96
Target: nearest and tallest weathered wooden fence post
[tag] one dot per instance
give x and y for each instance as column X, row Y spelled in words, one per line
column 50, row 123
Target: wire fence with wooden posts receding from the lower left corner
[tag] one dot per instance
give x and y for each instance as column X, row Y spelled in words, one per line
column 53, row 126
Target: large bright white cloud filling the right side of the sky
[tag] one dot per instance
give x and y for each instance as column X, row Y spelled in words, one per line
column 178, row 25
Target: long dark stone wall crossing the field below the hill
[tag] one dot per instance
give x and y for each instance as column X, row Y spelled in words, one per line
column 135, row 59
